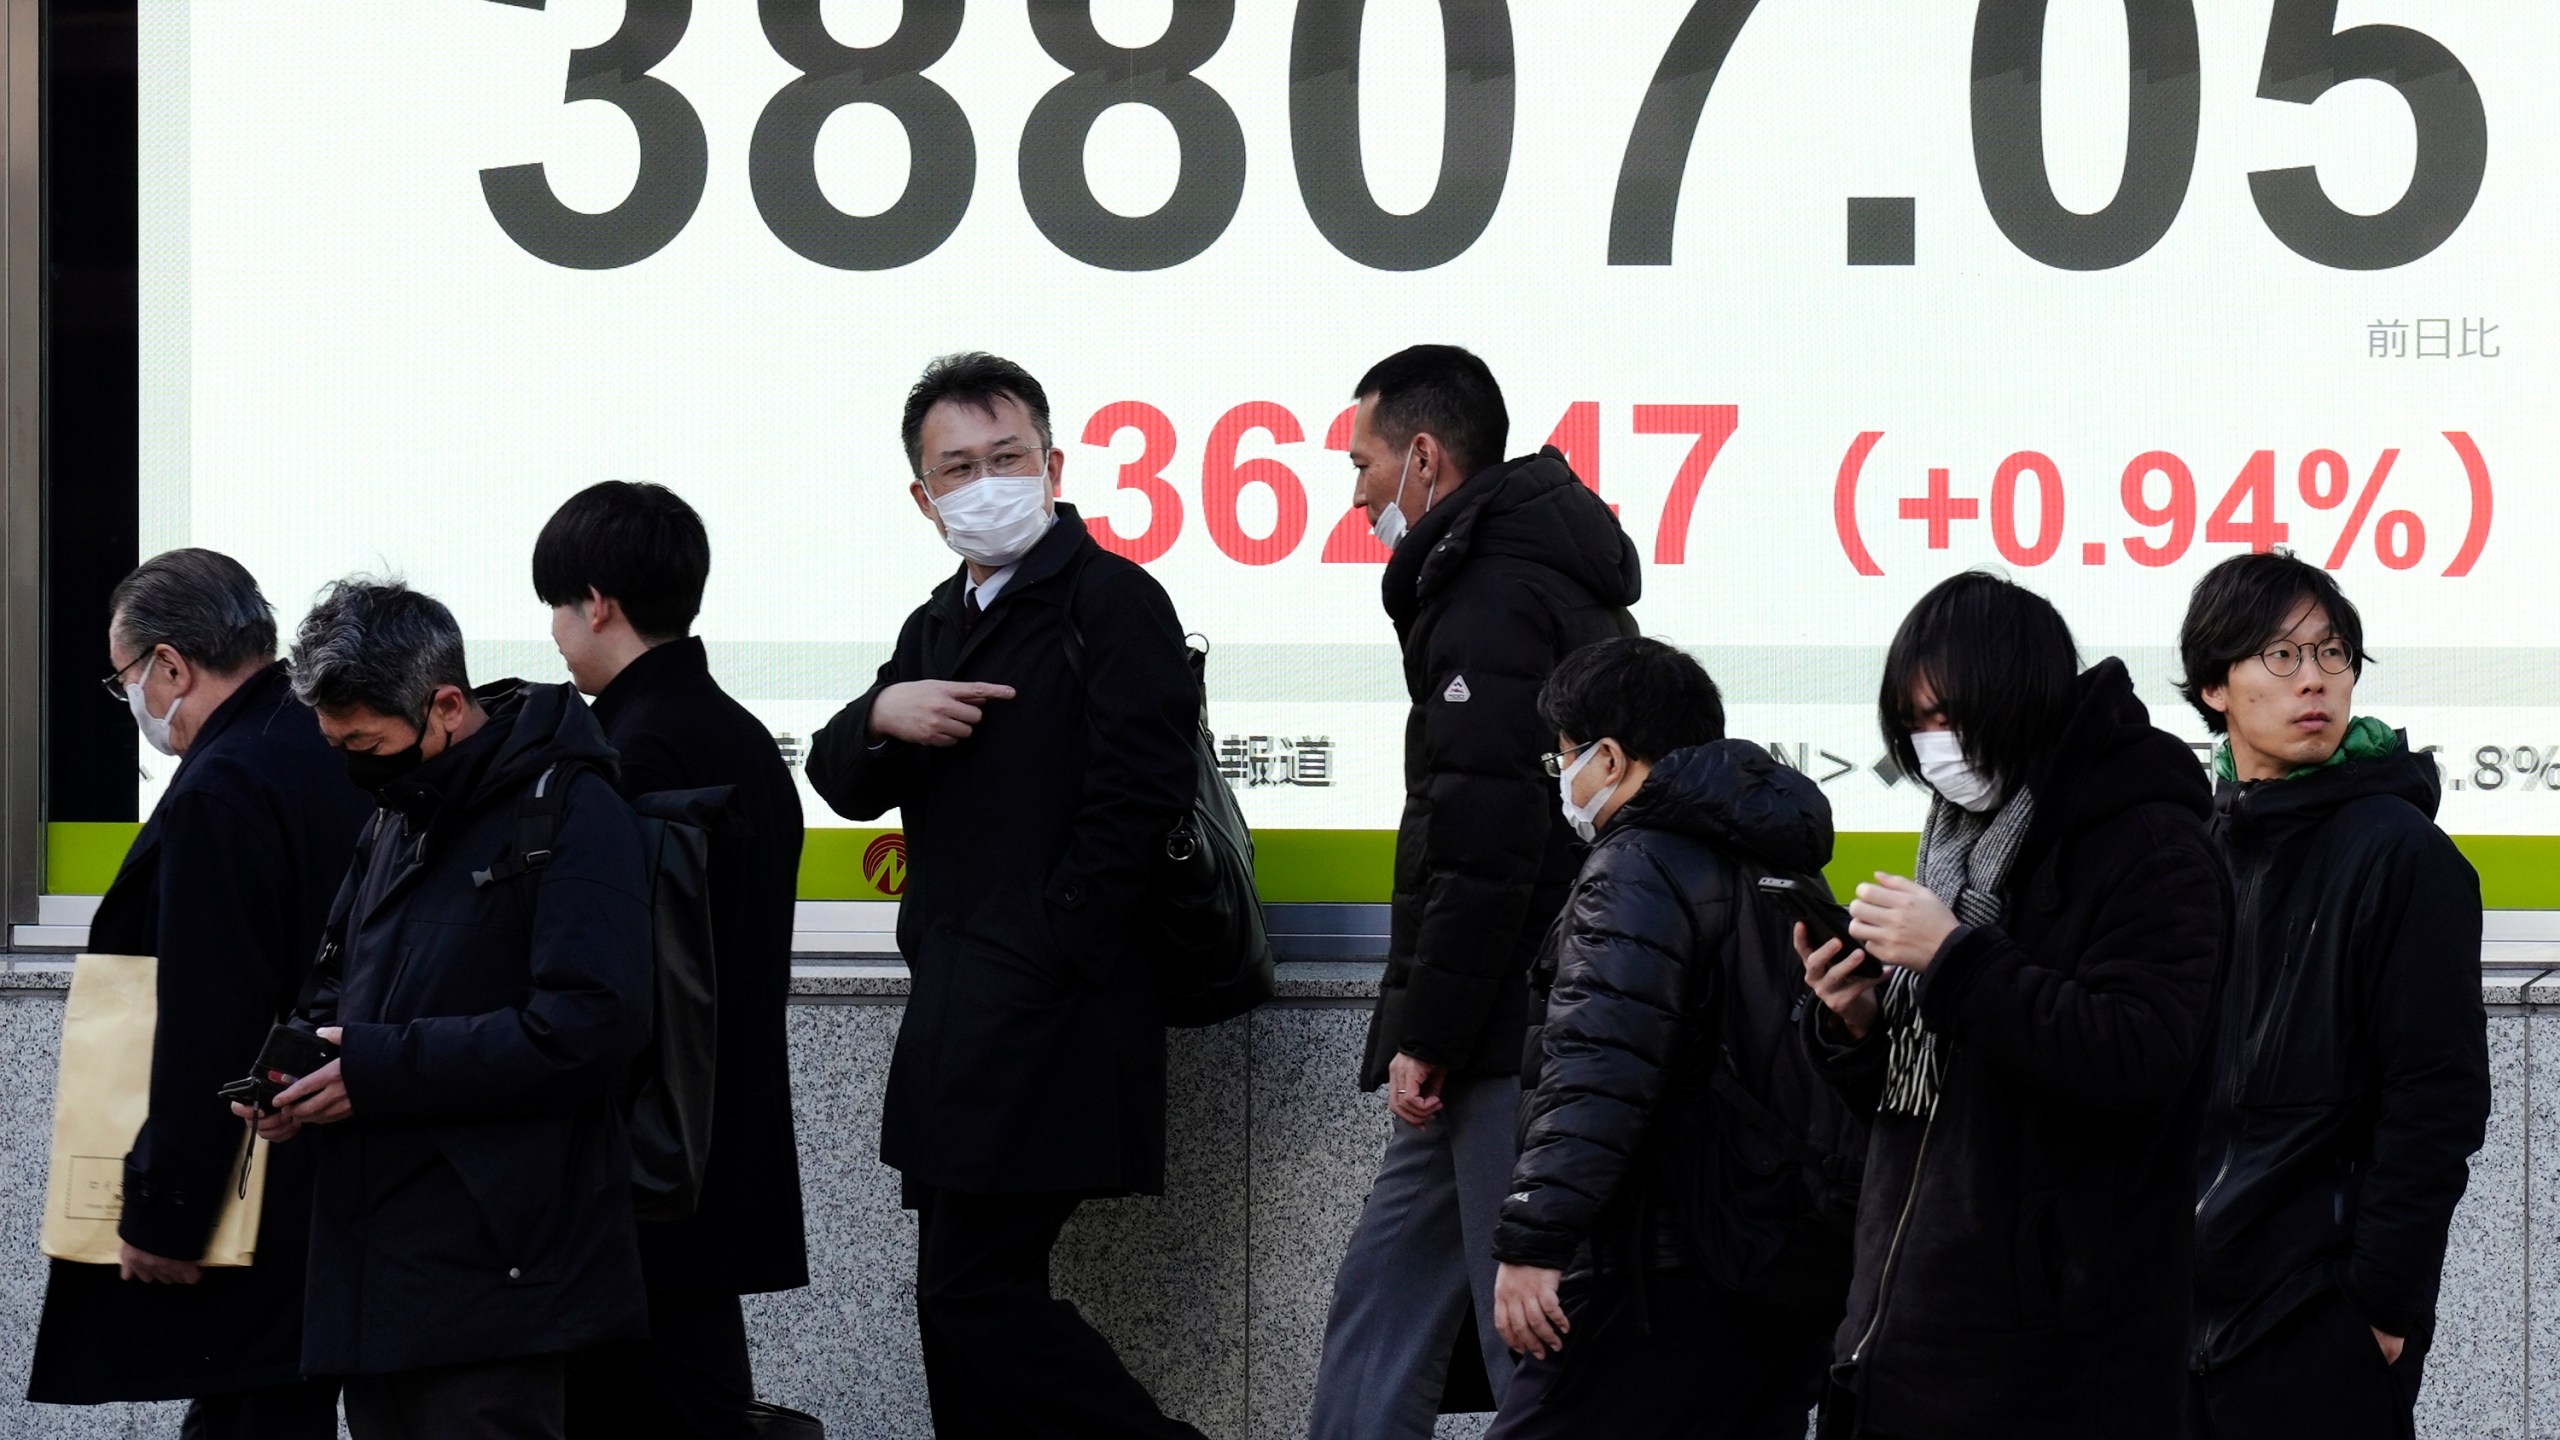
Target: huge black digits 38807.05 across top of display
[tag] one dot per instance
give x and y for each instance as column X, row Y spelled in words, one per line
column 2305, row 58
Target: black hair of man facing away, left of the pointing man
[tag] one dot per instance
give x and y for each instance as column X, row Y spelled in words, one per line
column 636, row 544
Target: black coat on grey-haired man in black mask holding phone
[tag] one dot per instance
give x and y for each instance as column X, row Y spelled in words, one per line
column 477, row 1200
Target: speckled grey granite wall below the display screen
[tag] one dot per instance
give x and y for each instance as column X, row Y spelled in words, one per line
column 1217, row 1290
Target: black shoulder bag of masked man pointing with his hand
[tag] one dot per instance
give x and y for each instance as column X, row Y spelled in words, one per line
column 1204, row 919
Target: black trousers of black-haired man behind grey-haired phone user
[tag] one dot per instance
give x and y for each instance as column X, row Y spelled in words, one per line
column 687, row 1382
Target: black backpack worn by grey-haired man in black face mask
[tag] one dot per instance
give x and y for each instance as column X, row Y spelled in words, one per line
column 667, row 1103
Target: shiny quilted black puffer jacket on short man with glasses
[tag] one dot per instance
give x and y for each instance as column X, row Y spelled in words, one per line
column 1629, row 988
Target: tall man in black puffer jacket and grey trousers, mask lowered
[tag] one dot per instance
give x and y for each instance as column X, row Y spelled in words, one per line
column 1499, row 573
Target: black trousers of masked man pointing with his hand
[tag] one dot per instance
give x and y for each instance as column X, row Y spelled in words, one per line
column 1002, row 1357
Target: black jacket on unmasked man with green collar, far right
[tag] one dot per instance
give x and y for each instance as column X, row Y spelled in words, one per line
column 2354, row 1054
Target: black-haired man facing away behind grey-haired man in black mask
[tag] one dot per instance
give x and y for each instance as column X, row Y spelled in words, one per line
column 623, row 570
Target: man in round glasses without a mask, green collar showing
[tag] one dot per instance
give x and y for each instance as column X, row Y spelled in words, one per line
column 2354, row 1052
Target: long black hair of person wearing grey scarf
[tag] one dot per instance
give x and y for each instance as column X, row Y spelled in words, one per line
column 1998, row 660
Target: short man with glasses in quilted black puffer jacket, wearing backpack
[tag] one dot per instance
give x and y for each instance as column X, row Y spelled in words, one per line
column 1606, row 1290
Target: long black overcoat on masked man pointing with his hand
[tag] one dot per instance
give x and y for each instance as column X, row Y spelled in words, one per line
column 1033, row 1049
